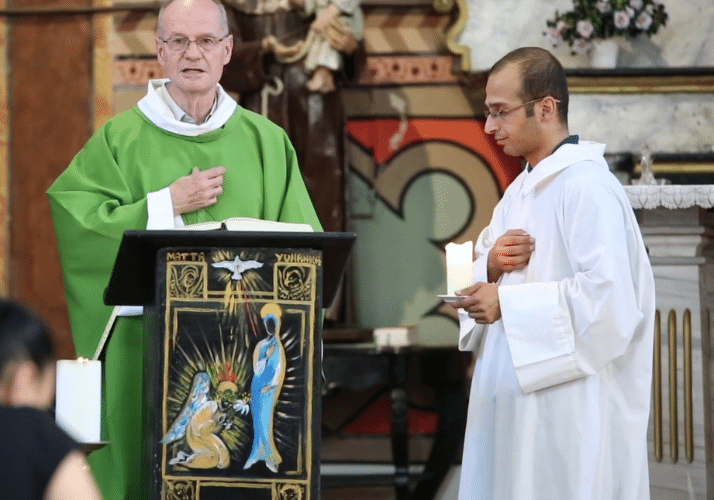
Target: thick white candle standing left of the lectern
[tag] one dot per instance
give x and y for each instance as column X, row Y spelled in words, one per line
column 78, row 399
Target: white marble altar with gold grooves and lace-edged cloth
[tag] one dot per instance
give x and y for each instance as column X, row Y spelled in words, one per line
column 678, row 230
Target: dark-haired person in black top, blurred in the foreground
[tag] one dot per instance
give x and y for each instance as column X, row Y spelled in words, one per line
column 38, row 459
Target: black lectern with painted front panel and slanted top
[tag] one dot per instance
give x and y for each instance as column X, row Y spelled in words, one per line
column 232, row 356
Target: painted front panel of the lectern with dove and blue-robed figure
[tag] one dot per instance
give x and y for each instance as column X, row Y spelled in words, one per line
column 237, row 377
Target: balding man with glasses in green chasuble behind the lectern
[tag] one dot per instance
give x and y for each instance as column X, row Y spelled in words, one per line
column 186, row 153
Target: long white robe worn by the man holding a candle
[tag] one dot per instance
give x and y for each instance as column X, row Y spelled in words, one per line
column 560, row 396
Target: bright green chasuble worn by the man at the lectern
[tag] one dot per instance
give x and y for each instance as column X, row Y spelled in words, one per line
column 103, row 193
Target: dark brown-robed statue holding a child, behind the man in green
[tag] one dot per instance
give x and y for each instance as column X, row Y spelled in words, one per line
column 267, row 32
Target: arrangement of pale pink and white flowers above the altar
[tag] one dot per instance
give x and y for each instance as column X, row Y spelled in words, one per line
column 593, row 19
